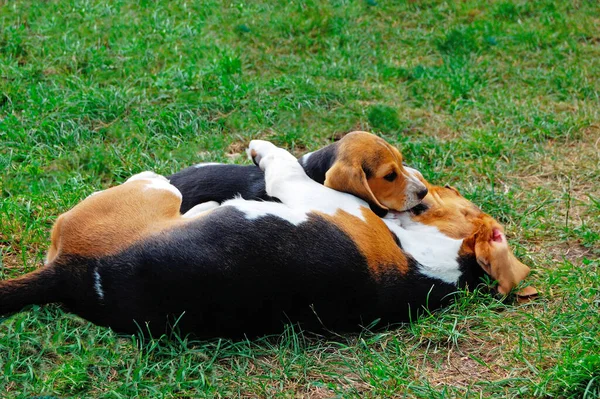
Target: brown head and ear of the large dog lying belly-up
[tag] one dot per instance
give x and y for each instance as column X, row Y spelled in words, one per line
column 483, row 237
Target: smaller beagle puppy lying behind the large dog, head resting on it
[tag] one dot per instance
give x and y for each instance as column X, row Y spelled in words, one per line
column 360, row 163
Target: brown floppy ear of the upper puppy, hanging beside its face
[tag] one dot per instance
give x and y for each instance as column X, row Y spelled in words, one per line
column 351, row 179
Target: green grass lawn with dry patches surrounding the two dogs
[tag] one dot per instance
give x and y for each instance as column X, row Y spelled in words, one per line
column 500, row 99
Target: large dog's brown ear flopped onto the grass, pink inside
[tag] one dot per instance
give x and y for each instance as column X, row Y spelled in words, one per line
column 495, row 257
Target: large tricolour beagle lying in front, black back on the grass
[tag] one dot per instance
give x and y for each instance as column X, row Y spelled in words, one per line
column 128, row 259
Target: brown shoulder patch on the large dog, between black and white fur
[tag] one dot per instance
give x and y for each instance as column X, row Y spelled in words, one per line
column 373, row 239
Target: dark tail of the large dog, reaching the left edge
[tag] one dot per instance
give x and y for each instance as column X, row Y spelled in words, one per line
column 39, row 287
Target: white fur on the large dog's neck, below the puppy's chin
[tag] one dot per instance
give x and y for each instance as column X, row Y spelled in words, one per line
column 436, row 253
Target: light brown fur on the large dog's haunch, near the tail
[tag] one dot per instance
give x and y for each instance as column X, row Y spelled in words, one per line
column 112, row 220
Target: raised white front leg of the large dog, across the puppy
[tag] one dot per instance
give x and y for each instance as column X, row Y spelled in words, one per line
column 286, row 180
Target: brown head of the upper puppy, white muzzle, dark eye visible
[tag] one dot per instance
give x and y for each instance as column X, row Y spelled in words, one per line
column 368, row 167
